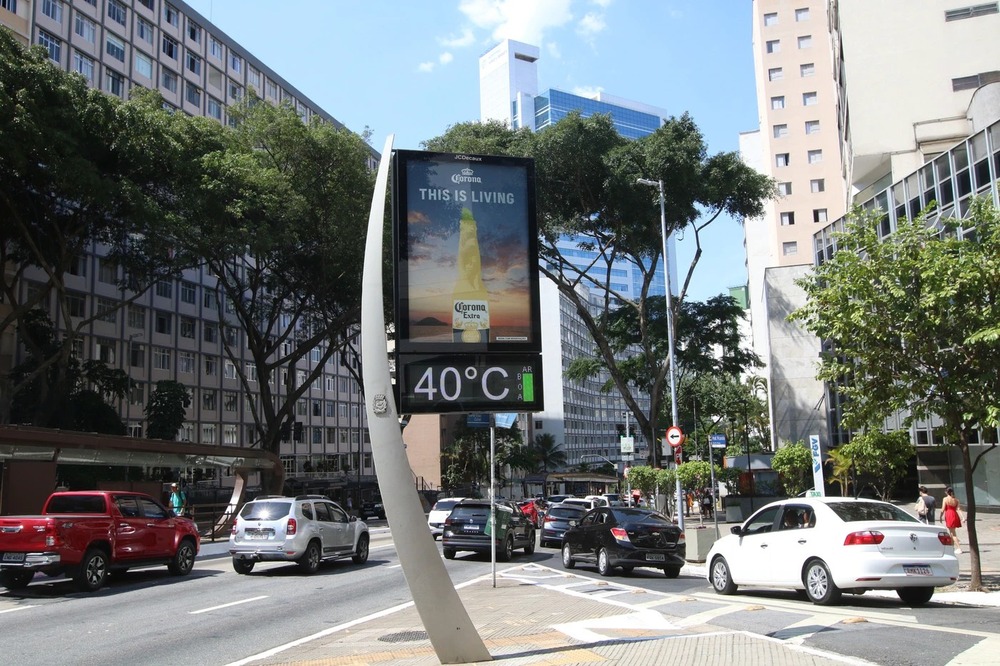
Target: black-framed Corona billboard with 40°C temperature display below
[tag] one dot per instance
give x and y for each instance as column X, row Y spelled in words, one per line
column 466, row 282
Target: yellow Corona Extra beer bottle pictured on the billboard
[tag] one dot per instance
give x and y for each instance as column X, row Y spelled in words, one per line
column 471, row 311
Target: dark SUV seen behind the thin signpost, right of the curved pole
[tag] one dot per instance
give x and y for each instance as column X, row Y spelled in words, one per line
column 467, row 528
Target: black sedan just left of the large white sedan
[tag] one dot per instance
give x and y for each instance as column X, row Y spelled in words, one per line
column 612, row 537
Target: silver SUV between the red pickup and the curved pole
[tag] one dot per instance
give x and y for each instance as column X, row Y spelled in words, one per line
column 307, row 529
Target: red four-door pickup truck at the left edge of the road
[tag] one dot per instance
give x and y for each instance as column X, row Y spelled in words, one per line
column 88, row 534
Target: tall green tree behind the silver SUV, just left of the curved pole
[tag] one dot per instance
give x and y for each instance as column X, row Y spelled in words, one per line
column 277, row 217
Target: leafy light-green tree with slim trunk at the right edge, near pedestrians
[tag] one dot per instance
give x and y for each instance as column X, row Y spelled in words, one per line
column 905, row 321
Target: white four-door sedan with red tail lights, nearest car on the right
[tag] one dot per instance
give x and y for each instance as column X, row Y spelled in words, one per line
column 826, row 546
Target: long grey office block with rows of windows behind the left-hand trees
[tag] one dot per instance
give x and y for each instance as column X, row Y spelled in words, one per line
column 171, row 332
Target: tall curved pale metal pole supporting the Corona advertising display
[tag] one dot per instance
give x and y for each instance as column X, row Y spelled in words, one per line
column 449, row 628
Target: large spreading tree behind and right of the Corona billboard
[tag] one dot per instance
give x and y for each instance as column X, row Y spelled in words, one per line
column 586, row 183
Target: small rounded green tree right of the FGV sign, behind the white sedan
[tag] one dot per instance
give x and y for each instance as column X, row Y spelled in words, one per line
column 880, row 458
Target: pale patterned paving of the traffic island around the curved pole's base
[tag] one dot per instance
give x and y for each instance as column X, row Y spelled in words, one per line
column 543, row 615
